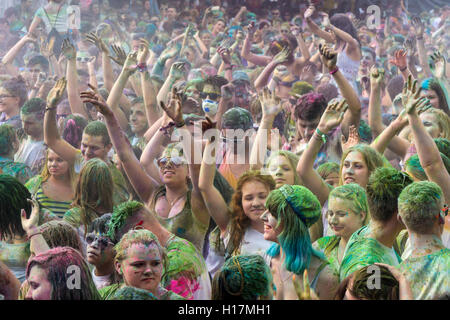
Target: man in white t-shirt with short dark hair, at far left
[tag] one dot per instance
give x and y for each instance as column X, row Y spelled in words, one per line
column 32, row 150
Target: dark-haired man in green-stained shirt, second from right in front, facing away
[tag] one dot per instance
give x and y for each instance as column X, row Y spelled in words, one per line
column 375, row 242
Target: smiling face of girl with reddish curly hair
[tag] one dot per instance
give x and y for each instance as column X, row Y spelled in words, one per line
column 254, row 194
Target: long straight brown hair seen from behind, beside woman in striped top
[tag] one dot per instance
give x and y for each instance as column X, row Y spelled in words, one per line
column 94, row 190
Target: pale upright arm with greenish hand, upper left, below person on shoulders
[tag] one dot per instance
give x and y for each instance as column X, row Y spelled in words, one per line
column 76, row 105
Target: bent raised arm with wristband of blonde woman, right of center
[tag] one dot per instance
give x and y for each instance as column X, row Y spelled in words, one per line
column 332, row 117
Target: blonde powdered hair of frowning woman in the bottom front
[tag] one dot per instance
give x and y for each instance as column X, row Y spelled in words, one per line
column 140, row 236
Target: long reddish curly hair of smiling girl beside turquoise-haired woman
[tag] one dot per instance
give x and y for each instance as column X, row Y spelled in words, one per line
column 239, row 221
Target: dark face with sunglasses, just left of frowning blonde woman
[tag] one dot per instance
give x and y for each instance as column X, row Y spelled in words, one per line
column 99, row 251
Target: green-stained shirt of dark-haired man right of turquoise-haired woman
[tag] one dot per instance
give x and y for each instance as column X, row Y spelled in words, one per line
column 362, row 251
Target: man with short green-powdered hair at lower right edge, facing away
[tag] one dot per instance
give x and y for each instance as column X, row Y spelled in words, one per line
column 421, row 208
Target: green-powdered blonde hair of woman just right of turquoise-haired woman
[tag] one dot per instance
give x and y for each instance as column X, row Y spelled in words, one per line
column 356, row 194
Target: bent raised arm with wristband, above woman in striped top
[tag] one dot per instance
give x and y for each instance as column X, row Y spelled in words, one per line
column 51, row 134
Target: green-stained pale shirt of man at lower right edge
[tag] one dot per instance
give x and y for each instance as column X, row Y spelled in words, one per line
column 429, row 275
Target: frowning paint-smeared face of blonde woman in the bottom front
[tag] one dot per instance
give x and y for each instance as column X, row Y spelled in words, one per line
column 142, row 268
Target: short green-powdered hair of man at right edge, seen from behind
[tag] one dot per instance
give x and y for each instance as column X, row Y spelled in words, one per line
column 419, row 205
